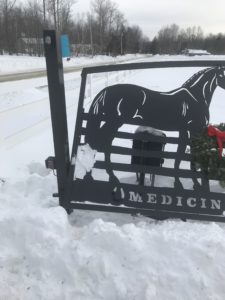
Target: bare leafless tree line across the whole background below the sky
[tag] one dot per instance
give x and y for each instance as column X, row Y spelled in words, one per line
column 102, row 30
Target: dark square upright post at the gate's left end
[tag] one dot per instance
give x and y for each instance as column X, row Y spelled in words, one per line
column 58, row 109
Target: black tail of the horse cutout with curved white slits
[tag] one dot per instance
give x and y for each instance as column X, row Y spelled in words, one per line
column 94, row 119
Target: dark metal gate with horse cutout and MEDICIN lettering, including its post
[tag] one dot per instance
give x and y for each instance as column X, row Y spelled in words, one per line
column 131, row 147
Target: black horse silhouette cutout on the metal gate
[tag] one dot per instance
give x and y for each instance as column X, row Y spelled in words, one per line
column 185, row 109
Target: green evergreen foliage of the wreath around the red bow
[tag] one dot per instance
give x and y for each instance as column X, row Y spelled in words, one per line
column 206, row 157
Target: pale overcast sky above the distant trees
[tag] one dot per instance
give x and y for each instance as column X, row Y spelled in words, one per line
column 152, row 15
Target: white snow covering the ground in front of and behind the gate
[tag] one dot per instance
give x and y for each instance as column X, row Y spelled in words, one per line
column 47, row 255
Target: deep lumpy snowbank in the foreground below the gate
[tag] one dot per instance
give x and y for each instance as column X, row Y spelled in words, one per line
column 46, row 255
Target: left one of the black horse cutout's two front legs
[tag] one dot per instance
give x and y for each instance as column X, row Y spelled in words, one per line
column 182, row 144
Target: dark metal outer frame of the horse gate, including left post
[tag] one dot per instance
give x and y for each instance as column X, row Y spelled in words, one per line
column 64, row 164
